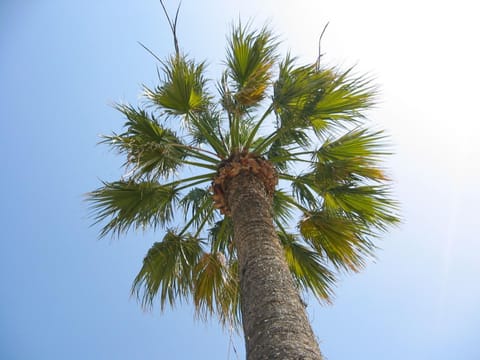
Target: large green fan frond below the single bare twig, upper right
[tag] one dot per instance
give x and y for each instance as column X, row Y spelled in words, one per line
column 309, row 98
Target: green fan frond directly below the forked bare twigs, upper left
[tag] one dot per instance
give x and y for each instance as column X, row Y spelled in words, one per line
column 183, row 87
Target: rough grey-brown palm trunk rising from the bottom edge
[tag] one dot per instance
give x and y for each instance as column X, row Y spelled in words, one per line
column 274, row 320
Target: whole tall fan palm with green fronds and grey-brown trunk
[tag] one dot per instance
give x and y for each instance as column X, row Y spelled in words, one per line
column 224, row 177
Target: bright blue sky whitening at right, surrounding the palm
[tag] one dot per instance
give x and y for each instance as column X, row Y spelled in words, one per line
column 65, row 294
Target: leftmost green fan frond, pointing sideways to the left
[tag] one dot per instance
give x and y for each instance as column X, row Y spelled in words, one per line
column 127, row 204
